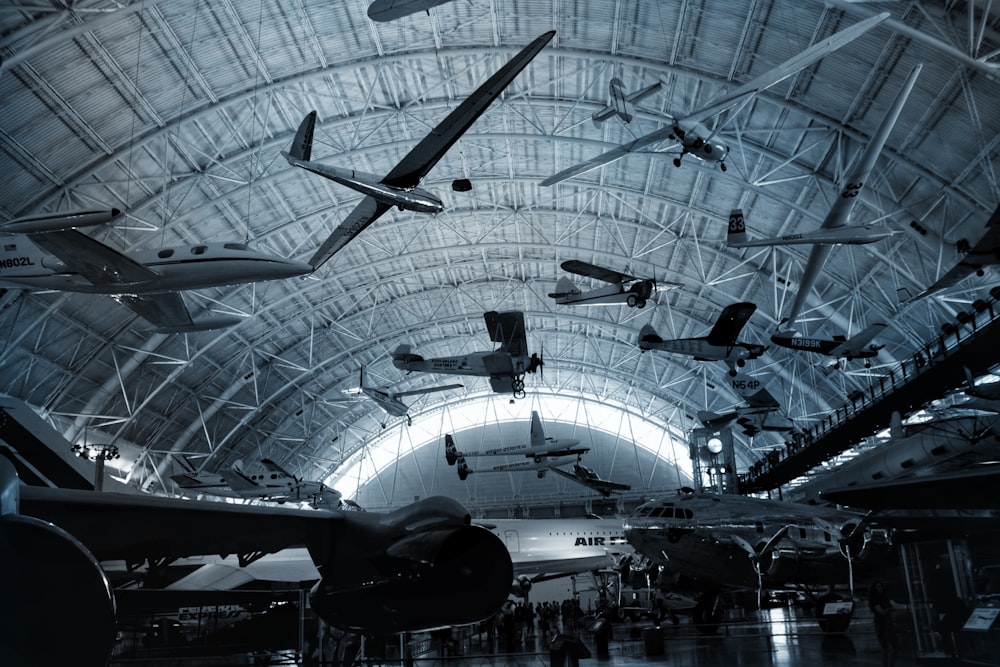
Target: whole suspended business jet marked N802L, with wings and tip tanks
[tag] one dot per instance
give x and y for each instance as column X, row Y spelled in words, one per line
column 53, row 255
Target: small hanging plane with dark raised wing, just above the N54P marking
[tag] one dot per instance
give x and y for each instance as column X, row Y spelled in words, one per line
column 720, row 344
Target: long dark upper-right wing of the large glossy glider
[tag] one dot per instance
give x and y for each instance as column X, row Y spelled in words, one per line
column 415, row 165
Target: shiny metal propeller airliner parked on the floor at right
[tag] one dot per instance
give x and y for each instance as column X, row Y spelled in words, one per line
column 713, row 541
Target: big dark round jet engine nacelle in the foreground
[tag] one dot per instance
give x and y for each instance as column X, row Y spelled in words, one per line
column 415, row 569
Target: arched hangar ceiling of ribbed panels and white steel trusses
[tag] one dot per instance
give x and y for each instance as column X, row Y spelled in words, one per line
column 177, row 113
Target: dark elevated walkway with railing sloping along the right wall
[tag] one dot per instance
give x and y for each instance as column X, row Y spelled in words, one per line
column 973, row 344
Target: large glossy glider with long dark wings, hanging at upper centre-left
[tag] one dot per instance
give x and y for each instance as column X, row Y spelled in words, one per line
column 400, row 186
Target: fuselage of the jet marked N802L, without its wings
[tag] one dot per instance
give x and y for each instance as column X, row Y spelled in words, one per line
column 24, row 265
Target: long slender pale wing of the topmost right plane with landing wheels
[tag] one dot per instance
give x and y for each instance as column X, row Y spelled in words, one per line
column 766, row 80
